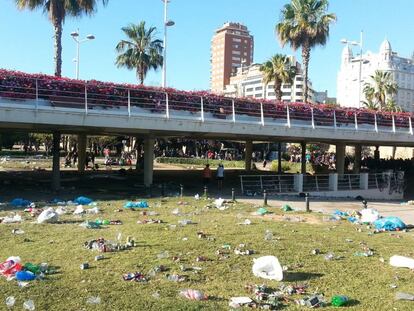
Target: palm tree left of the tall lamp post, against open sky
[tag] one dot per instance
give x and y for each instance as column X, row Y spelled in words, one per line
column 141, row 51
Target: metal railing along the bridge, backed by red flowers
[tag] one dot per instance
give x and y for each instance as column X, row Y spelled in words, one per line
column 94, row 96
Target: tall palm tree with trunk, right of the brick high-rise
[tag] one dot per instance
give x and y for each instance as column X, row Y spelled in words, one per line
column 305, row 24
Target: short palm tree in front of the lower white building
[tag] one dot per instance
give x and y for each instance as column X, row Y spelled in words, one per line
column 279, row 70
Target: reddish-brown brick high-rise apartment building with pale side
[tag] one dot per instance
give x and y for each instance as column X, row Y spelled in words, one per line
column 231, row 48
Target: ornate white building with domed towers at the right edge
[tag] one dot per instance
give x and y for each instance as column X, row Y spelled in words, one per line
column 401, row 68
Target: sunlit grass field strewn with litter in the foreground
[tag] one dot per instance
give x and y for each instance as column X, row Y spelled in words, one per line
column 366, row 280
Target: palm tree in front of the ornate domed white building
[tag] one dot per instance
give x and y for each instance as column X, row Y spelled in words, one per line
column 381, row 89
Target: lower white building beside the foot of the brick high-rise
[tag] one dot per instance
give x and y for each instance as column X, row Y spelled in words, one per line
column 248, row 82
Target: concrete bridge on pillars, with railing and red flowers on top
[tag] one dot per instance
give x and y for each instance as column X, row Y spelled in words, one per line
column 39, row 103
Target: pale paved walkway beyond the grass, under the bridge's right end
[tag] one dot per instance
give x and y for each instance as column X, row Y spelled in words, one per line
column 405, row 212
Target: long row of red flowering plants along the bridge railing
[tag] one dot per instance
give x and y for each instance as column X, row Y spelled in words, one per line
column 106, row 95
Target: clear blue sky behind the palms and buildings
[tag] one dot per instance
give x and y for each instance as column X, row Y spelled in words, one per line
column 27, row 42
